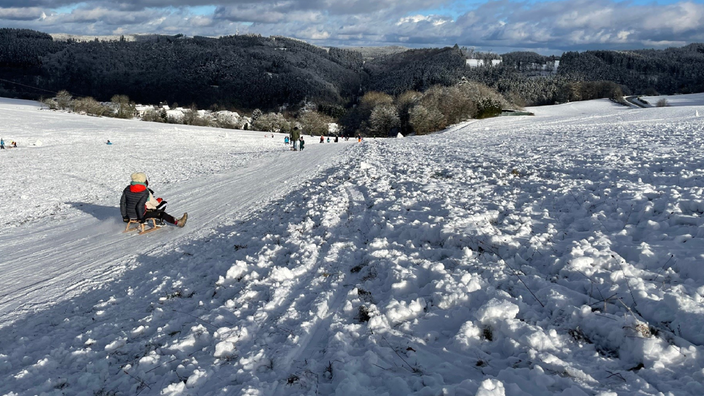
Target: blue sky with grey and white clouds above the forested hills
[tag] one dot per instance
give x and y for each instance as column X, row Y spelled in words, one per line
column 547, row 27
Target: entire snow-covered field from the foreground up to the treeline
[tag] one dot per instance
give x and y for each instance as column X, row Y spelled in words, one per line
column 559, row 254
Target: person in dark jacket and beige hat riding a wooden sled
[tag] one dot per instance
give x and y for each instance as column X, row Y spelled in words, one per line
column 138, row 202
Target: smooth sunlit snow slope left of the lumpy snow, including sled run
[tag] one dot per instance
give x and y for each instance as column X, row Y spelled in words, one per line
column 63, row 171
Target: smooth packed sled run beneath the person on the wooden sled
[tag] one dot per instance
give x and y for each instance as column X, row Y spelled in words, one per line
column 73, row 256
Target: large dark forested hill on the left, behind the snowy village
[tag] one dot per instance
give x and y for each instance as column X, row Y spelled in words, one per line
column 235, row 71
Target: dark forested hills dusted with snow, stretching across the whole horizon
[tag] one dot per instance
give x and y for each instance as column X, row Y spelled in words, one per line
column 248, row 72
